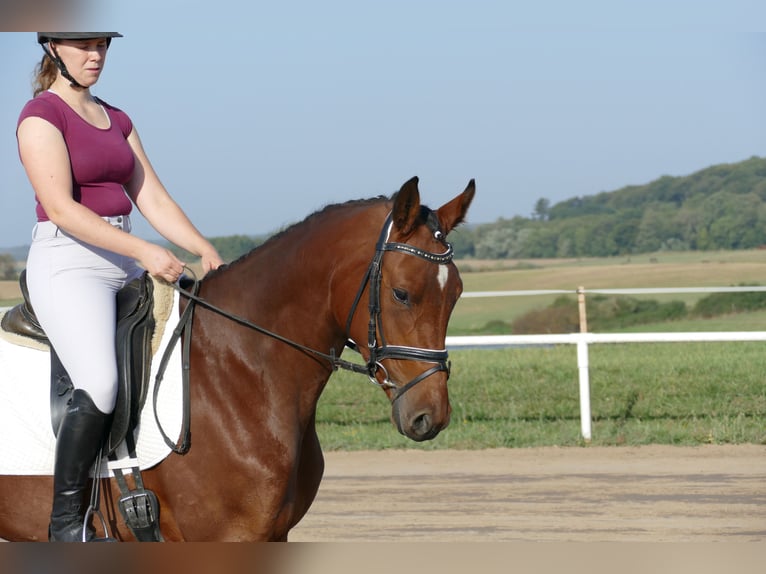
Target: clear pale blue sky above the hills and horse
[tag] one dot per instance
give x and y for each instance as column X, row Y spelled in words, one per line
column 257, row 114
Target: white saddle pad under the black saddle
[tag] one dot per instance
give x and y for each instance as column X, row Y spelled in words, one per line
column 28, row 445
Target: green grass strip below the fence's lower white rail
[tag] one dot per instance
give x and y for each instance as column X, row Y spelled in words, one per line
column 677, row 394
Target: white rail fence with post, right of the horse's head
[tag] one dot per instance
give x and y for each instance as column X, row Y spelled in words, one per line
column 583, row 339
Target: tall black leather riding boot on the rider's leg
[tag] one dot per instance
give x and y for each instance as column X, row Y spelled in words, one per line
column 79, row 439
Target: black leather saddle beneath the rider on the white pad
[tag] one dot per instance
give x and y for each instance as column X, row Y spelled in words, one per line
column 135, row 326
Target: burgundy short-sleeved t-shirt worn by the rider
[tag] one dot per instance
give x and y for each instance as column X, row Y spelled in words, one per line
column 102, row 160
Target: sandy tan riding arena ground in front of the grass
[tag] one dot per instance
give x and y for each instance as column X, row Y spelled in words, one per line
column 643, row 494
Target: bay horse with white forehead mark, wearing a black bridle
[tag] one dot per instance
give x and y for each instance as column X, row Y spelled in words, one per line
column 255, row 463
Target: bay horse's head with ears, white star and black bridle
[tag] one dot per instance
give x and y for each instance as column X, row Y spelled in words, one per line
column 413, row 287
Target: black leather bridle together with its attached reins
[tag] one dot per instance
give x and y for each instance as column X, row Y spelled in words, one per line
column 377, row 352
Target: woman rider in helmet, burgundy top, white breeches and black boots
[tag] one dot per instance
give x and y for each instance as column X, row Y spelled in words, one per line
column 86, row 164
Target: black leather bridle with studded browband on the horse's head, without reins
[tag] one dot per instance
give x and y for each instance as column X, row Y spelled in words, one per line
column 379, row 352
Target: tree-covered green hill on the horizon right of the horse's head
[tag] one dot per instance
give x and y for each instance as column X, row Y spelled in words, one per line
column 721, row 207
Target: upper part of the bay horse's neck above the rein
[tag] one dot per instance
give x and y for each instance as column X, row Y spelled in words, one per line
column 309, row 273
